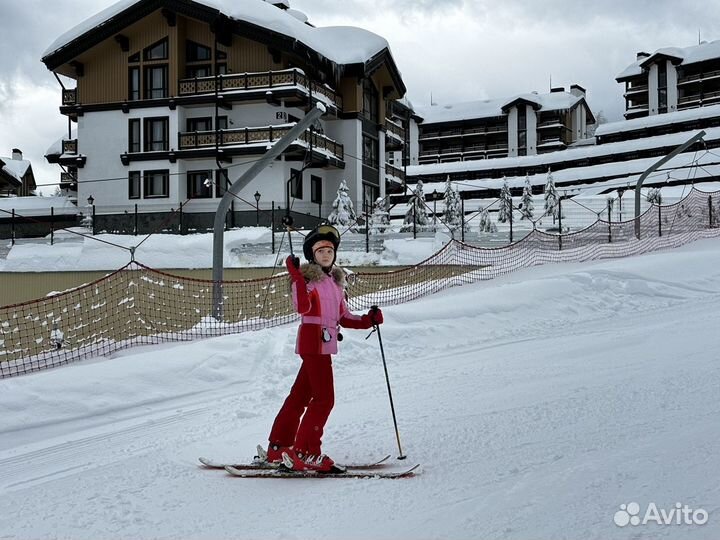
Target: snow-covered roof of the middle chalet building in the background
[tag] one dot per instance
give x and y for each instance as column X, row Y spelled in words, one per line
column 494, row 107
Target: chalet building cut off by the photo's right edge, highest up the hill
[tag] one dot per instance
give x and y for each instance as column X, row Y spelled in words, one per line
column 672, row 79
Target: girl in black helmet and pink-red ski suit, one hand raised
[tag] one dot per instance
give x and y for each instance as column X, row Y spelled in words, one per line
column 318, row 292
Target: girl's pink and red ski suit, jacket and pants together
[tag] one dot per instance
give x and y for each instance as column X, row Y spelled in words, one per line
column 322, row 310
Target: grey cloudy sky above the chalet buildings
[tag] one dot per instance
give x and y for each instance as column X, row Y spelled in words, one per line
column 456, row 50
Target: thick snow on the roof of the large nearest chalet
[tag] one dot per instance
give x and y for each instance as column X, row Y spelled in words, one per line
column 341, row 44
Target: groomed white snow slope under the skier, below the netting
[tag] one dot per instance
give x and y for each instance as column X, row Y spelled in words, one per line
column 537, row 404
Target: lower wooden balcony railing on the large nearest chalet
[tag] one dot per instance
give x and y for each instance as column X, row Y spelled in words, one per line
column 255, row 135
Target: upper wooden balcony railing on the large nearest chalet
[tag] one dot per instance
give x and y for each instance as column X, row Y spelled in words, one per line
column 258, row 81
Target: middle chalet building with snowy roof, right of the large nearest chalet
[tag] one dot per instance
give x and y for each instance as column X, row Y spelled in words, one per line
column 524, row 125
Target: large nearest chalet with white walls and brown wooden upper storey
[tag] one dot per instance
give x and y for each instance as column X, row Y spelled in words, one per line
column 175, row 99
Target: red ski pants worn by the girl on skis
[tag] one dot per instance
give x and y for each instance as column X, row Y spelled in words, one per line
column 313, row 393
